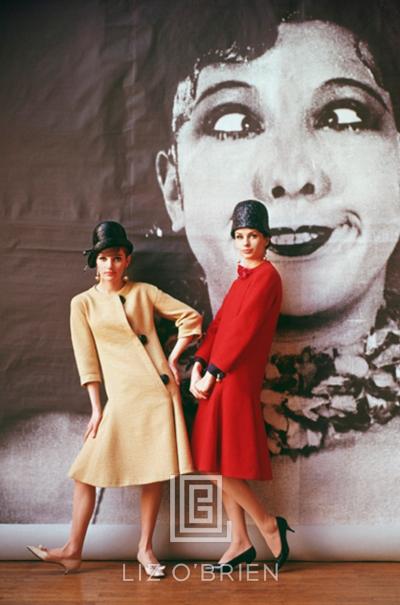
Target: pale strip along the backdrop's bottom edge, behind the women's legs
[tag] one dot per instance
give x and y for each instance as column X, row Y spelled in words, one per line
column 309, row 543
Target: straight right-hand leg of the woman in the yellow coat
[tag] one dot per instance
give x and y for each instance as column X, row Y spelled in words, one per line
column 149, row 507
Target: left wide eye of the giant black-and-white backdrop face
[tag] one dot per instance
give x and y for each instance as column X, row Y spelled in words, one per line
column 231, row 121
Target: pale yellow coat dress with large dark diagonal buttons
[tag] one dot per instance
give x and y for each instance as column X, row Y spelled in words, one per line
column 142, row 434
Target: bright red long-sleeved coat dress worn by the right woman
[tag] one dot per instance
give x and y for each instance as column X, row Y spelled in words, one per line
column 228, row 434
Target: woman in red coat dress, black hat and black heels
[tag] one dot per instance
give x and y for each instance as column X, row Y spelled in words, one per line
column 228, row 434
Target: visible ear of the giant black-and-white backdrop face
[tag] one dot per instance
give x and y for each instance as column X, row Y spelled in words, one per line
column 168, row 180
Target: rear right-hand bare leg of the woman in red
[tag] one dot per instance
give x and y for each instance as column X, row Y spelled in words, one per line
column 240, row 491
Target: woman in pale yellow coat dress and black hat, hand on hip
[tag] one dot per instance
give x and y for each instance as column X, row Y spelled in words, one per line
column 139, row 438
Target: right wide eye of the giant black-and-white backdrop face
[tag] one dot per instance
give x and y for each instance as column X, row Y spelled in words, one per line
column 347, row 114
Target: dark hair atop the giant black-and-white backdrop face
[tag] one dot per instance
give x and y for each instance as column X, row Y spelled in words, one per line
column 190, row 34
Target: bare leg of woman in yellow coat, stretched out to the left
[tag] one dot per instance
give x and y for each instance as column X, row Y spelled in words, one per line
column 83, row 502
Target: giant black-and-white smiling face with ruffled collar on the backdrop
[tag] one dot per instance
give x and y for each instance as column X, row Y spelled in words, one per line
column 302, row 118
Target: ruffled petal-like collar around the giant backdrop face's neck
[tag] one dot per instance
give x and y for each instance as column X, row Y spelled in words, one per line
column 316, row 399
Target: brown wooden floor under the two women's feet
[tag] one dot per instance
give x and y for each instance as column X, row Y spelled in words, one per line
column 119, row 583
